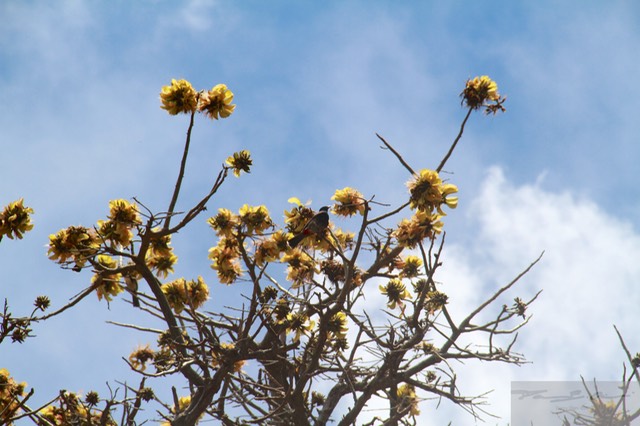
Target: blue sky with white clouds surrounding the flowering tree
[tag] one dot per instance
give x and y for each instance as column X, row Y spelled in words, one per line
column 80, row 124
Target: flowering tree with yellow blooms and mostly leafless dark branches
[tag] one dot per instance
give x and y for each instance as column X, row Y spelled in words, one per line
column 305, row 346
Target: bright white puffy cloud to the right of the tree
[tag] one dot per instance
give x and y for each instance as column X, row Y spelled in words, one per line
column 589, row 275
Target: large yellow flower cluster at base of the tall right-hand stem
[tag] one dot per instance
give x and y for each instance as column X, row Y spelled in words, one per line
column 428, row 192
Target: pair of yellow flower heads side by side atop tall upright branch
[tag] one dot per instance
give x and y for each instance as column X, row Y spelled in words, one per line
column 181, row 98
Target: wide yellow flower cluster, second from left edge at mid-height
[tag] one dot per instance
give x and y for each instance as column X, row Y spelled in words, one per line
column 74, row 244
